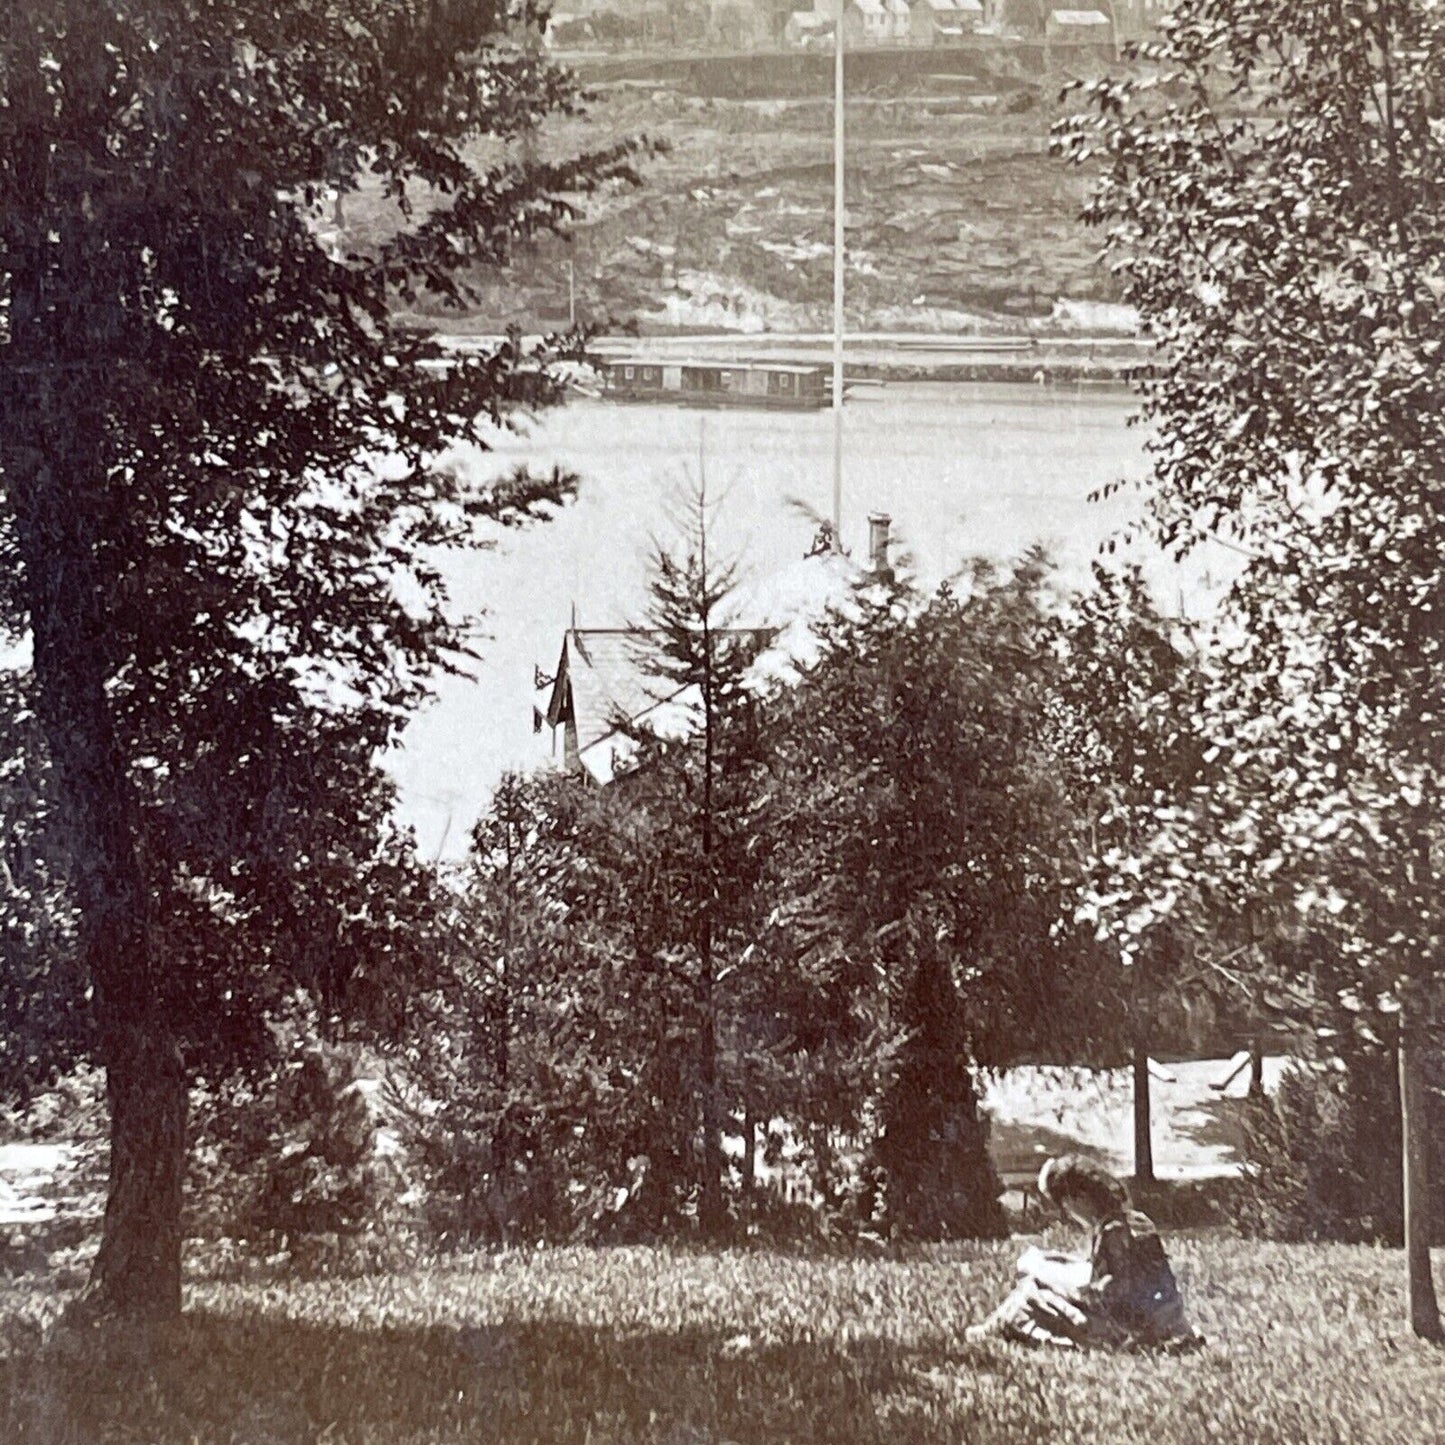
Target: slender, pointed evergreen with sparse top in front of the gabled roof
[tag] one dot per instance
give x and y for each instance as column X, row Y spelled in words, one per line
column 697, row 801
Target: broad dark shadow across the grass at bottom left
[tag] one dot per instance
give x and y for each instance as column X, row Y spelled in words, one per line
column 261, row 1381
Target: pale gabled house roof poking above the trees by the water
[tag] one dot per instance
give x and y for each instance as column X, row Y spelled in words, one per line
column 603, row 684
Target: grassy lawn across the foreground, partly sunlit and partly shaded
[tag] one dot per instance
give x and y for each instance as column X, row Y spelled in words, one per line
column 683, row 1349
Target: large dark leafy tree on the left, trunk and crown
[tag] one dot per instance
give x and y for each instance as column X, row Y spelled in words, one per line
column 220, row 504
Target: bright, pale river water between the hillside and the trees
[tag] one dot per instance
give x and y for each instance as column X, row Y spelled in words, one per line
column 962, row 470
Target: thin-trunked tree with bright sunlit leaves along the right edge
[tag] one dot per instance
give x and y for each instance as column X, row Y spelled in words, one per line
column 1274, row 212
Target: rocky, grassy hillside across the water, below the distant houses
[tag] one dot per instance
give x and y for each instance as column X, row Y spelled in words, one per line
column 957, row 216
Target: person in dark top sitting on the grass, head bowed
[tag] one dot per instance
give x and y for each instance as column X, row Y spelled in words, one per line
column 1123, row 1294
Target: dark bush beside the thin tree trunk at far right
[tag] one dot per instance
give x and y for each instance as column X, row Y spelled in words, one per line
column 1323, row 1157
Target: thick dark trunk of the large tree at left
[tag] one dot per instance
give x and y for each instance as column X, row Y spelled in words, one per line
column 56, row 472
